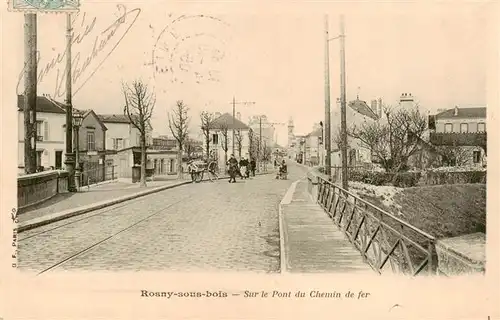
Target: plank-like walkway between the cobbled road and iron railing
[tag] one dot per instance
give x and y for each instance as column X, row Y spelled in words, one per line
column 310, row 242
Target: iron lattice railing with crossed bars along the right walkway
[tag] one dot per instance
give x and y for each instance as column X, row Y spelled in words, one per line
column 381, row 238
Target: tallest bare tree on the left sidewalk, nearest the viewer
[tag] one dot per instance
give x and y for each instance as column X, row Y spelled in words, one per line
column 139, row 105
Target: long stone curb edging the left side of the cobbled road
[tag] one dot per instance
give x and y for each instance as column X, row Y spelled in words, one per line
column 66, row 214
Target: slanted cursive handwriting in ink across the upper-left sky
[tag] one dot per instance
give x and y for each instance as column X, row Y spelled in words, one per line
column 85, row 64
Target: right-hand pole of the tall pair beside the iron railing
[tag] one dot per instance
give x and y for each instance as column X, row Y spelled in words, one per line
column 343, row 124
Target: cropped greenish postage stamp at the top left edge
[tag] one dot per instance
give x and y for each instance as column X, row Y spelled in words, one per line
column 44, row 5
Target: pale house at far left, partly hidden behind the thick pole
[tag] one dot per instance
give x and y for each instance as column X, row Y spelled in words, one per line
column 50, row 133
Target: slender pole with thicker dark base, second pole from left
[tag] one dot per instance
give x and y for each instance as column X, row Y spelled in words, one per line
column 70, row 156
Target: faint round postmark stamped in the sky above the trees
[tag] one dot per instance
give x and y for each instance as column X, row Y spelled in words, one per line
column 183, row 53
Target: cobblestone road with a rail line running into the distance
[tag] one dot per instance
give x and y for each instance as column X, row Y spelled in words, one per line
column 198, row 227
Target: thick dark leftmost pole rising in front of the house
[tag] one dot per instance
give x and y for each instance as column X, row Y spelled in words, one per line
column 30, row 92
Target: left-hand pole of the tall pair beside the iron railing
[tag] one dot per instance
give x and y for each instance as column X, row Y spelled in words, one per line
column 327, row 141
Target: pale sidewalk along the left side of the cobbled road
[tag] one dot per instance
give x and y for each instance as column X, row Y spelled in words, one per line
column 87, row 196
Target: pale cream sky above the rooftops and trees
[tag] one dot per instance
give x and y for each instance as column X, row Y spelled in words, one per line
column 273, row 58
